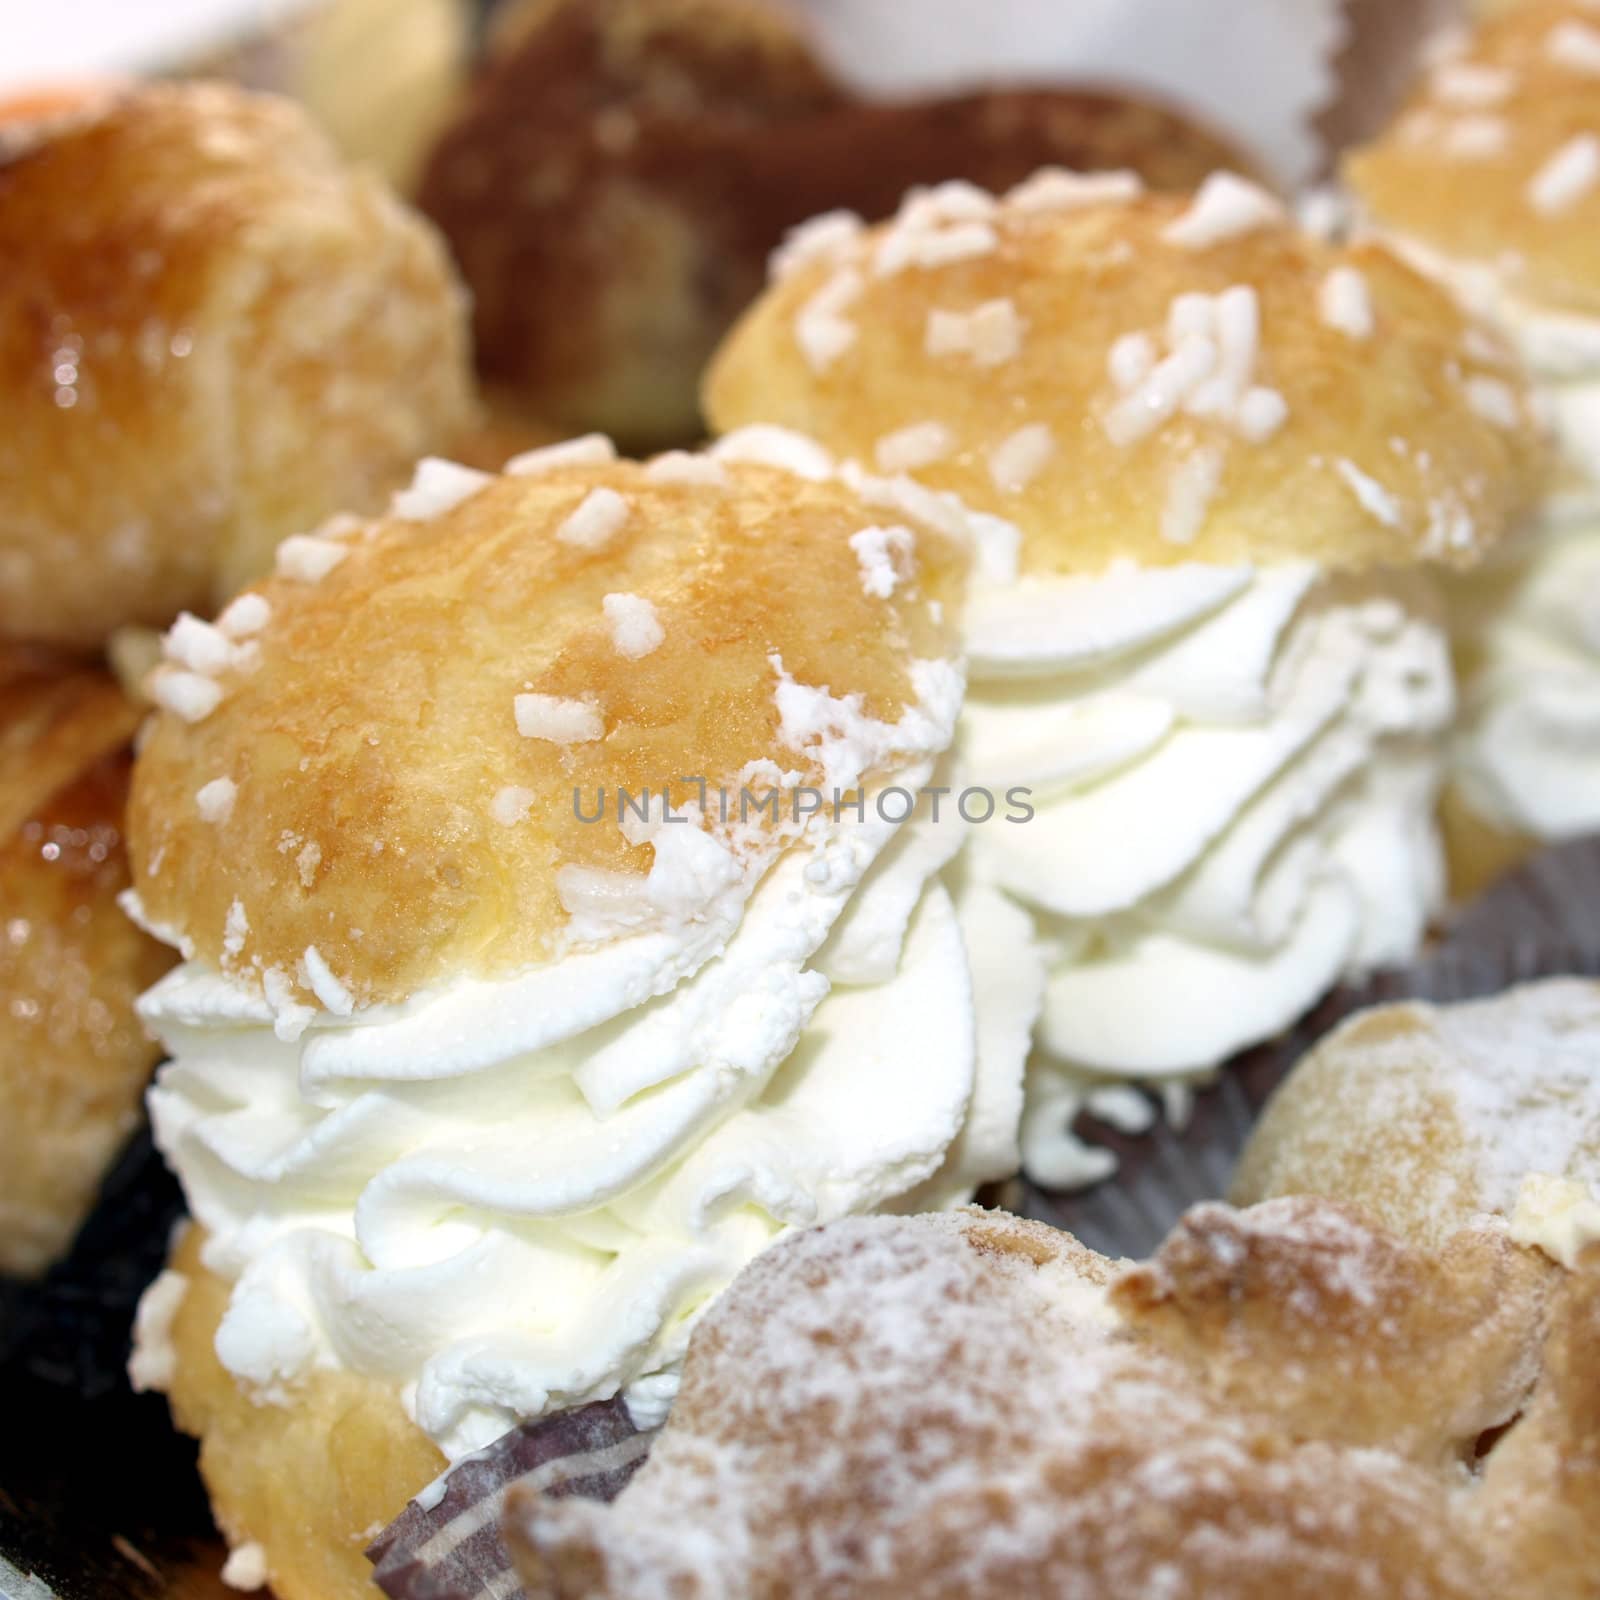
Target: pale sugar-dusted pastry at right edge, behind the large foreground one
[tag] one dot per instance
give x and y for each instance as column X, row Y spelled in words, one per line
column 1430, row 1116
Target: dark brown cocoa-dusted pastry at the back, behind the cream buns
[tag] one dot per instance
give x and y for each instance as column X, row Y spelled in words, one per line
column 625, row 167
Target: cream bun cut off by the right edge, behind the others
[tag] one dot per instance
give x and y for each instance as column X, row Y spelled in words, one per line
column 1492, row 183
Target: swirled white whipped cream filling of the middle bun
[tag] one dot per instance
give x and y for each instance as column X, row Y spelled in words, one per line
column 1234, row 775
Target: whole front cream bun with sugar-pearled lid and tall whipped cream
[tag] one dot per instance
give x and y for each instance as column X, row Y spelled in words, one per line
column 487, row 1073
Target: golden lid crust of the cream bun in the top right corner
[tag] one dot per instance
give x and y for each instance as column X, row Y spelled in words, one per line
column 1478, row 207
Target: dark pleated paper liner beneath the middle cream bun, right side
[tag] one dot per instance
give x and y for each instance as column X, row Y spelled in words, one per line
column 1543, row 921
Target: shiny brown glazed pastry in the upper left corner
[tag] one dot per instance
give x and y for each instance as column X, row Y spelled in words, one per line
column 212, row 335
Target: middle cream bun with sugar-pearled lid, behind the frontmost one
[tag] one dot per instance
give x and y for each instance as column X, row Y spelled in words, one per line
column 1215, row 463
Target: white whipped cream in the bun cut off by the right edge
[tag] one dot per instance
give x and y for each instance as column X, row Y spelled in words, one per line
column 1529, row 748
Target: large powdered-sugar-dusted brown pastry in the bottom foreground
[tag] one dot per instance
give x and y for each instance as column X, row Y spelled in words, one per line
column 1281, row 1404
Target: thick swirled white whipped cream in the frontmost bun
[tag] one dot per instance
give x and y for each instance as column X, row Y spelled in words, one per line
column 514, row 1196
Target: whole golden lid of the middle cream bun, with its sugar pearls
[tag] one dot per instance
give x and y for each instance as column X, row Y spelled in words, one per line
column 1154, row 378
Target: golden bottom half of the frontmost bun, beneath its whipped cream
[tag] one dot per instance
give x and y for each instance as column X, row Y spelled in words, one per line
column 311, row 1481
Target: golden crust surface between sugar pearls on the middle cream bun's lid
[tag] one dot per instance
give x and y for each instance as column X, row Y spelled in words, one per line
column 1081, row 281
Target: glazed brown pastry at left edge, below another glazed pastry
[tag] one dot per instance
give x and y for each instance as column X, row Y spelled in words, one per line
column 73, row 1055
